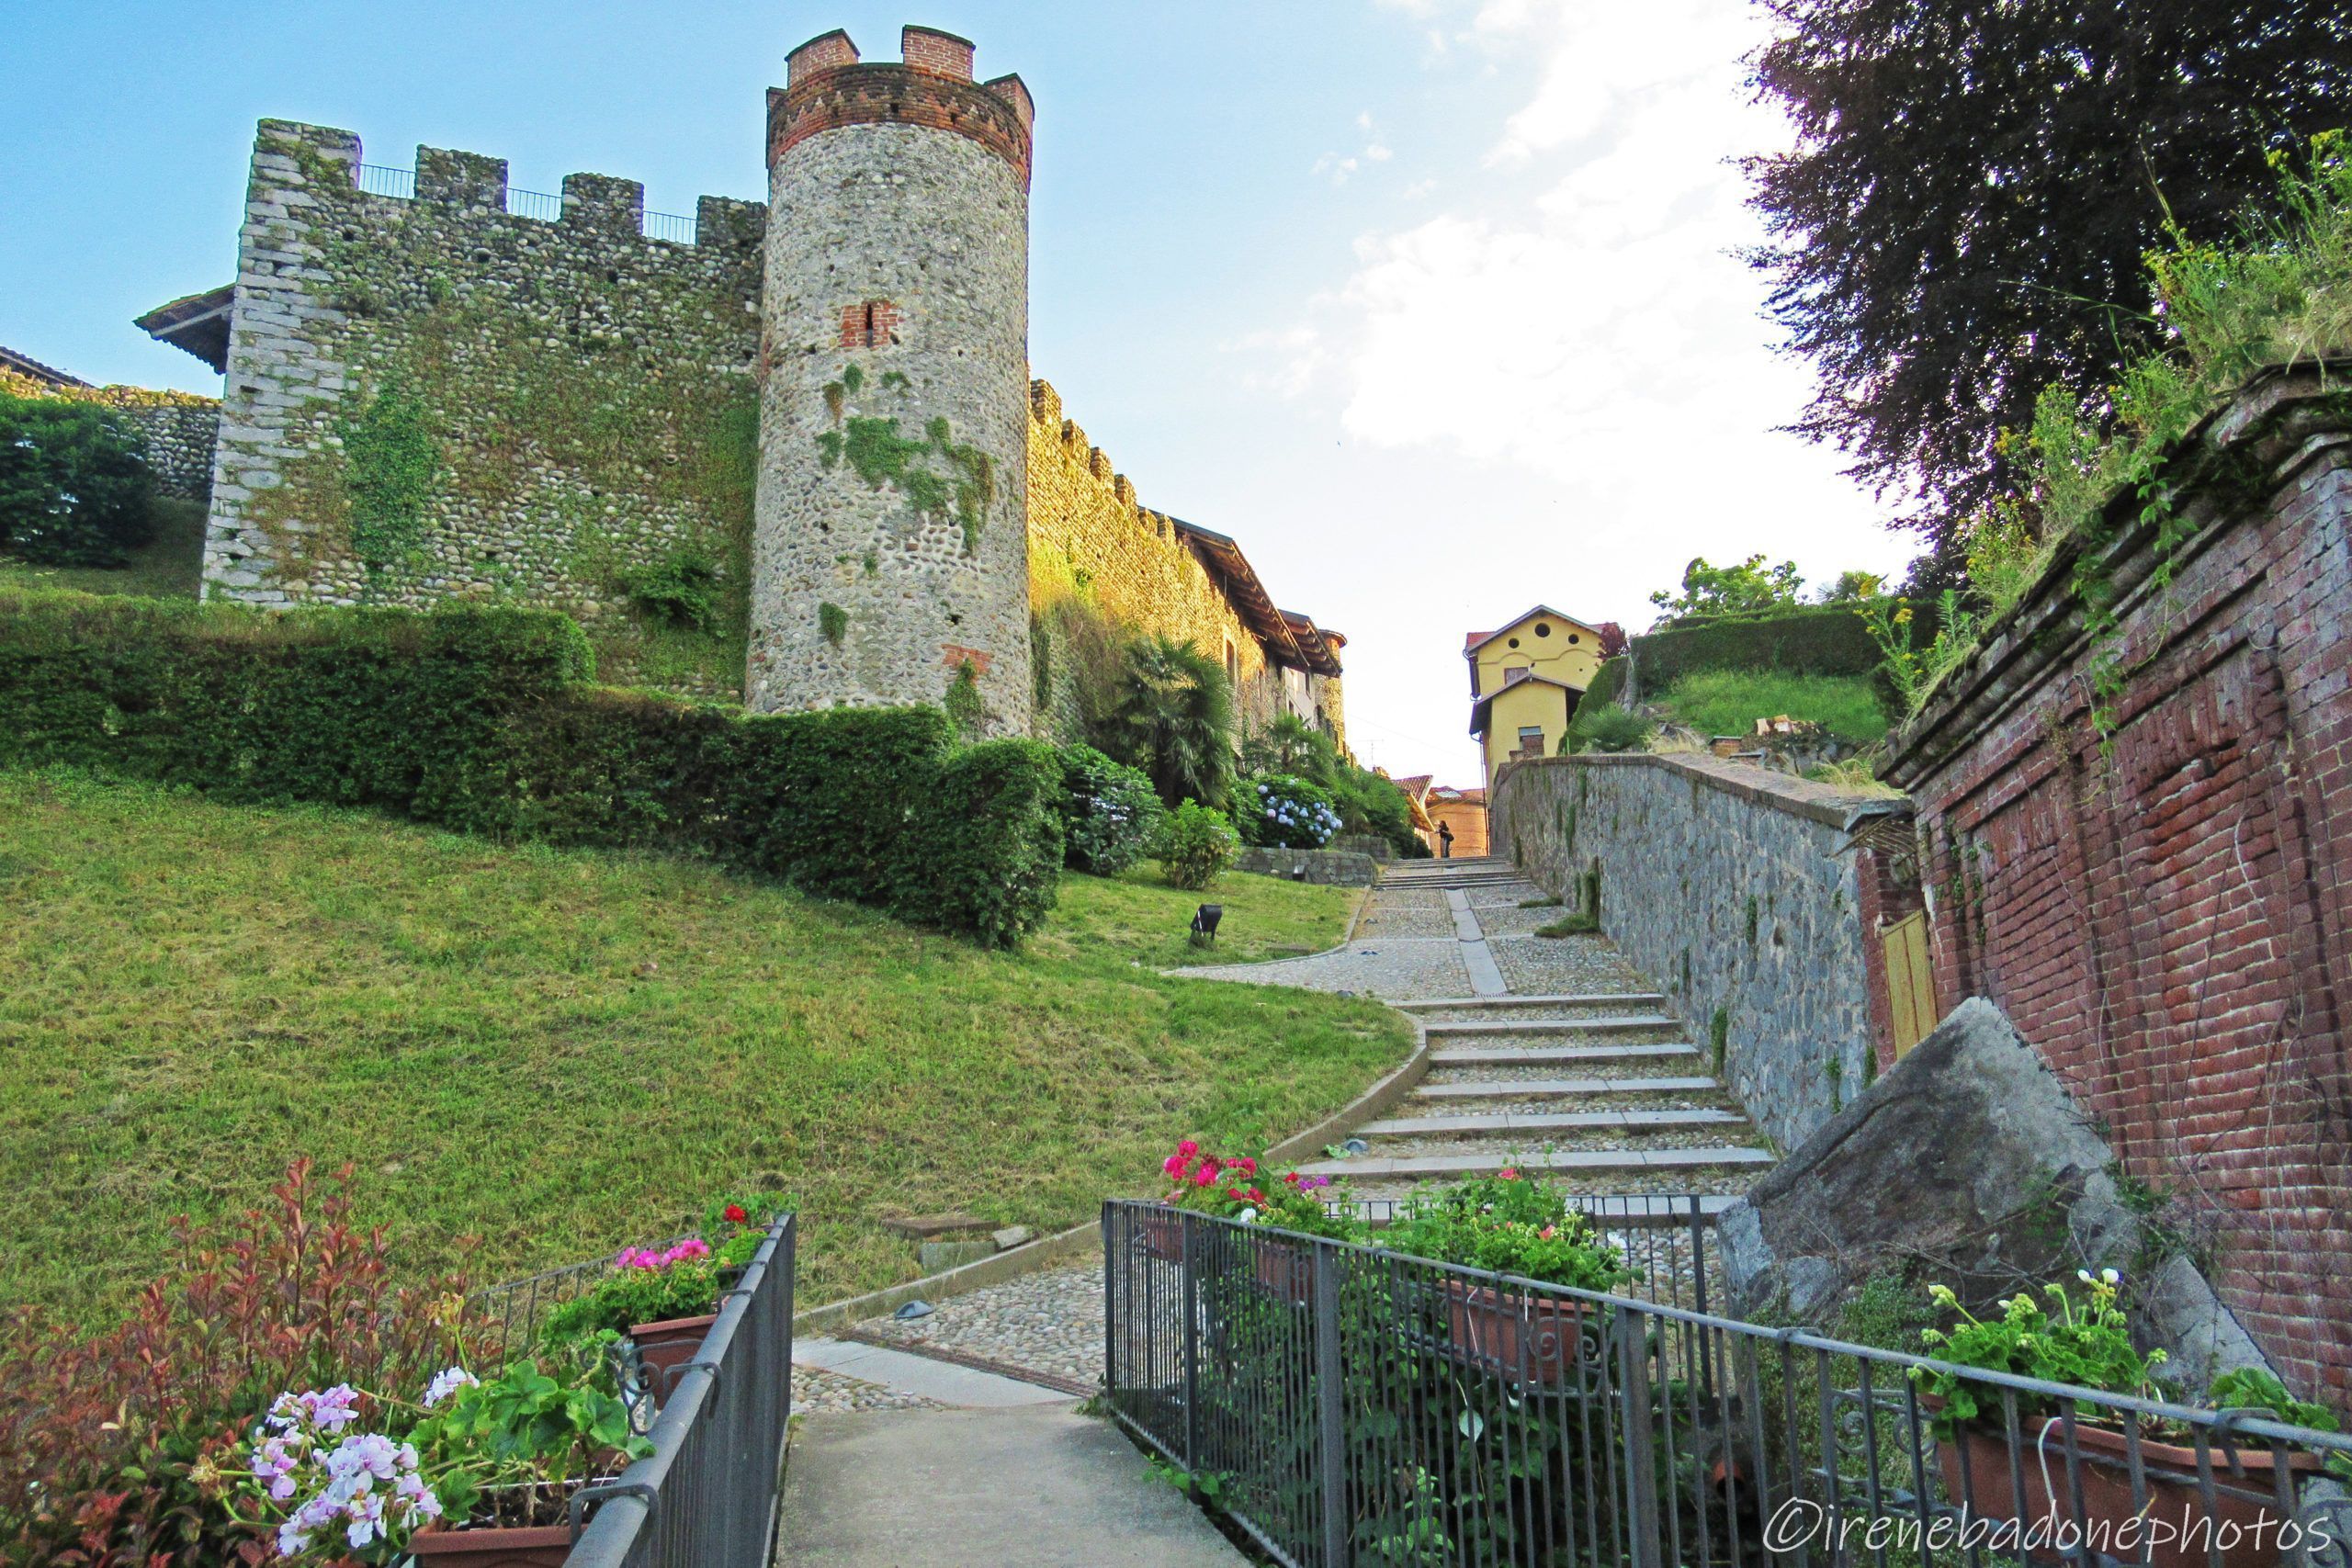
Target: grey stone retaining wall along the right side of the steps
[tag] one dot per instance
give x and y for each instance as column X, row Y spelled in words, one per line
column 1739, row 892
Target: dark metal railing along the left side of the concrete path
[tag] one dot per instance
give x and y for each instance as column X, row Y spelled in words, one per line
column 707, row 1496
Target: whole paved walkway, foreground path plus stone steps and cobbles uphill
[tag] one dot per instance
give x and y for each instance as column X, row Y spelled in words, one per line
column 1544, row 1054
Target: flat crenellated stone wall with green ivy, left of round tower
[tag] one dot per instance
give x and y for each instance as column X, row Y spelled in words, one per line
column 436, row 398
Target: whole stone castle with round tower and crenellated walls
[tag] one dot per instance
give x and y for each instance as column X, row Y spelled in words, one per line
column 777, row 450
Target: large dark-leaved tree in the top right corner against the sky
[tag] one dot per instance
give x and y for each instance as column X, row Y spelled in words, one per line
column 1972, row 192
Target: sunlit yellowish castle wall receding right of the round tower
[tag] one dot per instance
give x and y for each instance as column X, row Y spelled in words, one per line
column 1095, row 542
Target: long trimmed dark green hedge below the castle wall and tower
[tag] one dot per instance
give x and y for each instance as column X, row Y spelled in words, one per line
column 486, row 721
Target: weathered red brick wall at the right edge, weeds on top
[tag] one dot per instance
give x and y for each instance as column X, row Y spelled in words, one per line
column 2170, row 918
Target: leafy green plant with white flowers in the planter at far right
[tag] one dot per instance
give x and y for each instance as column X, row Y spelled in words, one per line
column 2085, row 1343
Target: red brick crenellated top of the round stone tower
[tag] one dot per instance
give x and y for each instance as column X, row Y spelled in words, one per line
column 827, row 86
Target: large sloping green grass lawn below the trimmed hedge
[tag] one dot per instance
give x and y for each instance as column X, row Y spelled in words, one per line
column 563, row 1052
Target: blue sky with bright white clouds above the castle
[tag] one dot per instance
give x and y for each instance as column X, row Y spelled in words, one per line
column 1426, row 302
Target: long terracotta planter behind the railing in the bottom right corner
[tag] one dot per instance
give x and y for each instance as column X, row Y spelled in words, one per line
column 2174, row 1499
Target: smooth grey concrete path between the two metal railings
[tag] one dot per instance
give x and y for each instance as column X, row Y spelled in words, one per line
column 1031, row 1487
